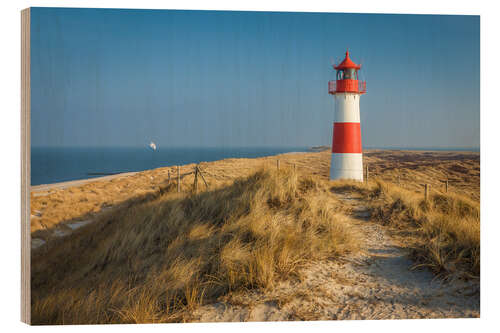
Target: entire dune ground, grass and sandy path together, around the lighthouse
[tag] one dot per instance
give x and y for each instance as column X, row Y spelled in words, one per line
column 374, row 280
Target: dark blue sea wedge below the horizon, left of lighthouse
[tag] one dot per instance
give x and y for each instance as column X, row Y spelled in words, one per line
column 53, row 165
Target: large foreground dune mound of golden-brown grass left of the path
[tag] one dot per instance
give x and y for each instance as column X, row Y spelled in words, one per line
column 157, row 260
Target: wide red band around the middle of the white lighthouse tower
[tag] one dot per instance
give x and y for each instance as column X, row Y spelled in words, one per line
column 346, row 138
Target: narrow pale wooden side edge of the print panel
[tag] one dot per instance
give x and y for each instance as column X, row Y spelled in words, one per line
column 25, row 168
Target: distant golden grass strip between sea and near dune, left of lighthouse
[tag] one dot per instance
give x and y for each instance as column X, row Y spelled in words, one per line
column 53, row 207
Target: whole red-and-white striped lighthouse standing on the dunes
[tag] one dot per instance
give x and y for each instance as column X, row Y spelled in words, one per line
column 347, row 156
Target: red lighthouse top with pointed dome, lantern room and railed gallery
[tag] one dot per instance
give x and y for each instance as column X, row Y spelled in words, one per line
column 347, row 78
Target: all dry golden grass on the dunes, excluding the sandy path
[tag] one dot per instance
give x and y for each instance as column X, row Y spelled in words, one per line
column 159, row 254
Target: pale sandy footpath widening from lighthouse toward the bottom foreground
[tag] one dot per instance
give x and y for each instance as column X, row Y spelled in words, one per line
column 377, row 283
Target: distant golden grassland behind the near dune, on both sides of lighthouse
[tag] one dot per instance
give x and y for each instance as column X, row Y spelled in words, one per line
column 410, row 168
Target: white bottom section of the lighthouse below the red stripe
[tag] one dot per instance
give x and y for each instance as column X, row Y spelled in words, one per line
column 347, row 166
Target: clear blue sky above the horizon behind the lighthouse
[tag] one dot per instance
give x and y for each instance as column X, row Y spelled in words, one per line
column 107, row 77
